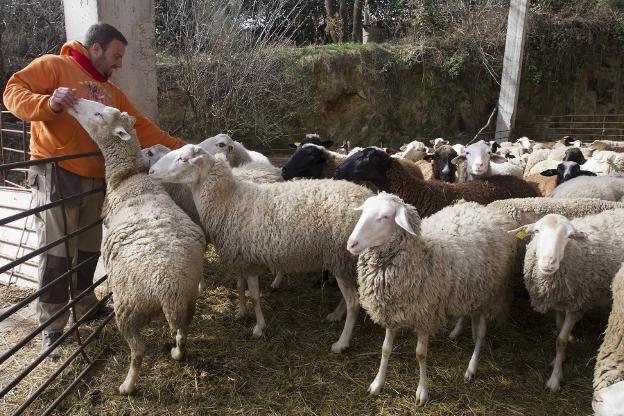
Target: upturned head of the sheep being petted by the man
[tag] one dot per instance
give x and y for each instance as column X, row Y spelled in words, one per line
column 102, row 122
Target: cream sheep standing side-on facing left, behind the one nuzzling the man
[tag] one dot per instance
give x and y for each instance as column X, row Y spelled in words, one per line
column 297, row 226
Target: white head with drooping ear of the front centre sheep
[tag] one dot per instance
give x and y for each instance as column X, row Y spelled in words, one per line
column 381, row 216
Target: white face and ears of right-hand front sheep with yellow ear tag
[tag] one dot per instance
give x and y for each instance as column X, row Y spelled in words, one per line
column 551, row 236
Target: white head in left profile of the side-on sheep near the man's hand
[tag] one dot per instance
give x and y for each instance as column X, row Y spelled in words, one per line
column 183, row 165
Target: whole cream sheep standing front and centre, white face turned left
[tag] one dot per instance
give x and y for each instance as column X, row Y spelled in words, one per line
column 407, row 279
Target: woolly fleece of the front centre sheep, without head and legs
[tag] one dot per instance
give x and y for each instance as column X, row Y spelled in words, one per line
column 395, row 283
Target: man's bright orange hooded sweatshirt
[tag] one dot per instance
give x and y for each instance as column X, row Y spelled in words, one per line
column 28, row 93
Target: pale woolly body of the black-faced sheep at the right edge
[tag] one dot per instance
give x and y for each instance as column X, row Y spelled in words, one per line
column 602, row 187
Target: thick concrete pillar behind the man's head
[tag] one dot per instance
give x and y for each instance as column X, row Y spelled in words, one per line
column 135, row 19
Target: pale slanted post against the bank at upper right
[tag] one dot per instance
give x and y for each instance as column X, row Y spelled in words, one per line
column 512, row 68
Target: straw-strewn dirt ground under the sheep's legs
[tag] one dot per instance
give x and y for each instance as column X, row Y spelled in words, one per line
column 291, row 371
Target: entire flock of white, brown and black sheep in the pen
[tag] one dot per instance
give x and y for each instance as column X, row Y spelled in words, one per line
column 385, row 226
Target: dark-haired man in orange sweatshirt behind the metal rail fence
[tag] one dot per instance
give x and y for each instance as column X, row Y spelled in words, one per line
column 41, row 93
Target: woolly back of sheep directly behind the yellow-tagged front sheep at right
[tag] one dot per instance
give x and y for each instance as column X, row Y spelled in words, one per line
column 529, row 210
